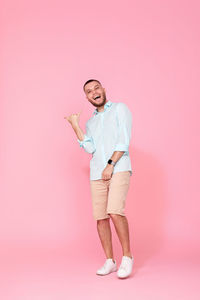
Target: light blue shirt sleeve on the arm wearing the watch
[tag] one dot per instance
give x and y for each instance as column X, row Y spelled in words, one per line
column 124, row 117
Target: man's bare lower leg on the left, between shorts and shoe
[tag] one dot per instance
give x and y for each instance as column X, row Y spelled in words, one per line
column 105, row 235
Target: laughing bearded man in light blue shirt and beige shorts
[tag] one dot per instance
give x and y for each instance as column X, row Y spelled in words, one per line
column 107, row 138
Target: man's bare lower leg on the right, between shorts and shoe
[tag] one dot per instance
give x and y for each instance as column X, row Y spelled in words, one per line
column 121, row 227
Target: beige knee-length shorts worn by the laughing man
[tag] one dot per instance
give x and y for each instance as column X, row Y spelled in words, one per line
column 109, row 196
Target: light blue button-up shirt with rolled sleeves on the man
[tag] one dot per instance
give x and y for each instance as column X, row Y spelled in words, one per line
column 106, row 132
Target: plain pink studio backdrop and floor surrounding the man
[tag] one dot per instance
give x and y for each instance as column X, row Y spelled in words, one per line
column 146, row 54
